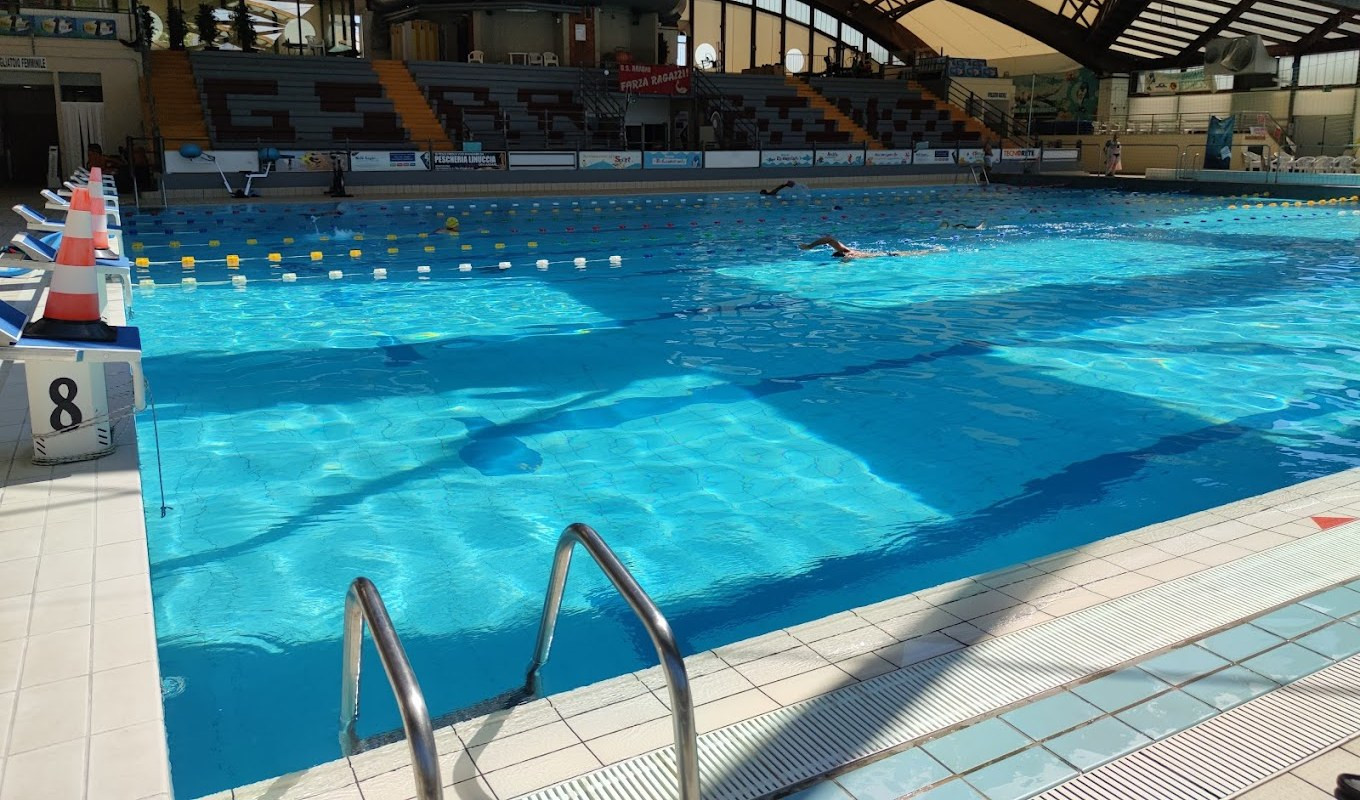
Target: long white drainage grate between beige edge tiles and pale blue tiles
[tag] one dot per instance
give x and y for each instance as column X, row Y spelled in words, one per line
column 796, row 744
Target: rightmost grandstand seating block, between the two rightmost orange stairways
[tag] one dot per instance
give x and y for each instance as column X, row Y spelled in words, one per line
column 896, row 114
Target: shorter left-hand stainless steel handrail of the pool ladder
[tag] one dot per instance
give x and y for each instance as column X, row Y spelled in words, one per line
column 364, row 605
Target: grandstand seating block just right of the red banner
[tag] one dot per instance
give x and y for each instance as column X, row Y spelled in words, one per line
column 780, row 114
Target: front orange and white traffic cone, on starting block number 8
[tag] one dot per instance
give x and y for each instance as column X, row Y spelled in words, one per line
column 73, row 310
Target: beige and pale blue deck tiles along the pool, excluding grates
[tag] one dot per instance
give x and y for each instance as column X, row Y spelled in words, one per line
column 81, row 714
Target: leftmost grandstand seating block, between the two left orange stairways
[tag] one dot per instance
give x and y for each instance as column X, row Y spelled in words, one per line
column 294, row 101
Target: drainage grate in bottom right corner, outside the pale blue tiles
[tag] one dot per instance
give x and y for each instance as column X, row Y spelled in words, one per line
column 1236, row 750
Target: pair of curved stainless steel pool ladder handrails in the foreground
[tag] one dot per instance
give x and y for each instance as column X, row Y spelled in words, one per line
column 365, row 605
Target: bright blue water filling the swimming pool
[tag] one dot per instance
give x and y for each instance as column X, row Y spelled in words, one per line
column 765, row 436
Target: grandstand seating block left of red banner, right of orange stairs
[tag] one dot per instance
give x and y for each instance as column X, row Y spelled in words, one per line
column 507, row 107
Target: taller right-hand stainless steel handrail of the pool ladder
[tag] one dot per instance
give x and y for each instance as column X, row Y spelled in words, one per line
column 678, row 681
